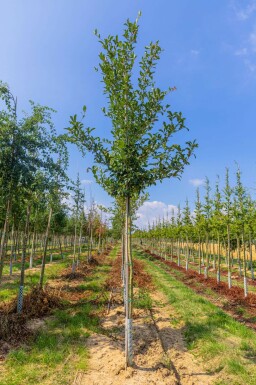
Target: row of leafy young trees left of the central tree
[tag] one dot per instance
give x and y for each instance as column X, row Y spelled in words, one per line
column 35, row 191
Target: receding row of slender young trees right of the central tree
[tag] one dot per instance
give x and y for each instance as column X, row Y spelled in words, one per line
column 218, row 234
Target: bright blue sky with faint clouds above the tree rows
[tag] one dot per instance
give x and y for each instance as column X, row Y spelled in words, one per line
column 49, row 51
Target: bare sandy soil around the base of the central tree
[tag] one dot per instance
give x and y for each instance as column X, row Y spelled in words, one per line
column 160, row 356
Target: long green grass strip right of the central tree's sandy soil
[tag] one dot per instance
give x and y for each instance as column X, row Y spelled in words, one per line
column 225, row 345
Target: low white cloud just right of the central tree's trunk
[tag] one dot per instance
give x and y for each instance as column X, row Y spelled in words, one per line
column 152, row 211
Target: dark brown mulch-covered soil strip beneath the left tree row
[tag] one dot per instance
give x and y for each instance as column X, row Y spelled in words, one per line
column 16, row 329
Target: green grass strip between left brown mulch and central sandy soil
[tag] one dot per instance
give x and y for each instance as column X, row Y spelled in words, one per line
column 58, row 350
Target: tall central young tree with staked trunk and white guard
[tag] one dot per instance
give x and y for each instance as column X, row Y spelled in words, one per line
column 140, row 152
